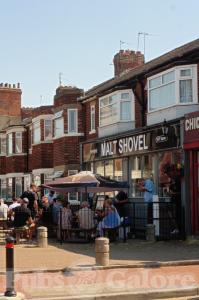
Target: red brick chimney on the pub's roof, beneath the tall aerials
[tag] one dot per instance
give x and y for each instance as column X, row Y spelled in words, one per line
column 126, row 60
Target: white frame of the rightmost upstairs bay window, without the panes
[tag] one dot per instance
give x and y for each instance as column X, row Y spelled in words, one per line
column 177, row 80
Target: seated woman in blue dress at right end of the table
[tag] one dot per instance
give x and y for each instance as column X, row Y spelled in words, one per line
column 111, row 217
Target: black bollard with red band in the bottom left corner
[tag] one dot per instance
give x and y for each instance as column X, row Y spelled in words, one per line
column 10, row 291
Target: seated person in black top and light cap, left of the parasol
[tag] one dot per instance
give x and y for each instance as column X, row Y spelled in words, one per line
column 23, row 219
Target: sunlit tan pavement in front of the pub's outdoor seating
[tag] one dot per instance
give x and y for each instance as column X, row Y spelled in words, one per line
column 138, row 270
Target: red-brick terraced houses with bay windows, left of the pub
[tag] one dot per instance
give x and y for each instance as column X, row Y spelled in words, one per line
column 38, row 144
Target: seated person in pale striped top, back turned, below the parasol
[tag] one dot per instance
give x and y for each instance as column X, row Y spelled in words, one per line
column 85, row 216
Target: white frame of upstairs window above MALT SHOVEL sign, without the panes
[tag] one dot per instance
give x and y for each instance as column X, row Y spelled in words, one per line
column 118, row 103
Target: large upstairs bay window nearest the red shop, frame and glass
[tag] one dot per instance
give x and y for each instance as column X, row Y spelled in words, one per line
column 173, row 87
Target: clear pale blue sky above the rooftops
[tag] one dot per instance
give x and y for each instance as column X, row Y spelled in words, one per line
column 41, row 38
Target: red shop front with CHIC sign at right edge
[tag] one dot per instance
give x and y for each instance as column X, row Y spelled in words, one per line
column 191, row 146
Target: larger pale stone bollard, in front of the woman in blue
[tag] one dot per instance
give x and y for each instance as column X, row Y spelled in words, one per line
column 102, row 251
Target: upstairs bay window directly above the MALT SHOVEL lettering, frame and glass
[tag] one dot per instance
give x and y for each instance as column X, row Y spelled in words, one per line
column 116, row 107
